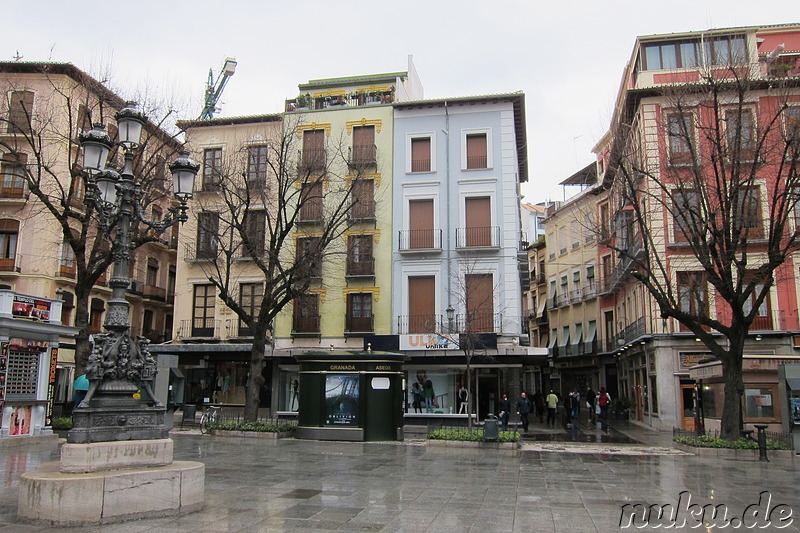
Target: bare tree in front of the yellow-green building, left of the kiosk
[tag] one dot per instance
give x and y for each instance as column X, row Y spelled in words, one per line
column 277, row 213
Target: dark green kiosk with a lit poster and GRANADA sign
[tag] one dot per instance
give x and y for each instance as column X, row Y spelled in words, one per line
column 350, row 395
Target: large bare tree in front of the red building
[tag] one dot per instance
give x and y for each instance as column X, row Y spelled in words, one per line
column 723, row 190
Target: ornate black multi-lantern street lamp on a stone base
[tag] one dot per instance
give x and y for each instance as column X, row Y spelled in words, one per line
column 119, row 365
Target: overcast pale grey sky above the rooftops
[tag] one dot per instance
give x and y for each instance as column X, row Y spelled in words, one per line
column 567, row 56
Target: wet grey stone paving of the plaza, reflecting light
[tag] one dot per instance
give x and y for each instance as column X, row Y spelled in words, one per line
column 254, row 485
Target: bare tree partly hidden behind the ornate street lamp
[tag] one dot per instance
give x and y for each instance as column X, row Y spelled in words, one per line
column 42, row 150
